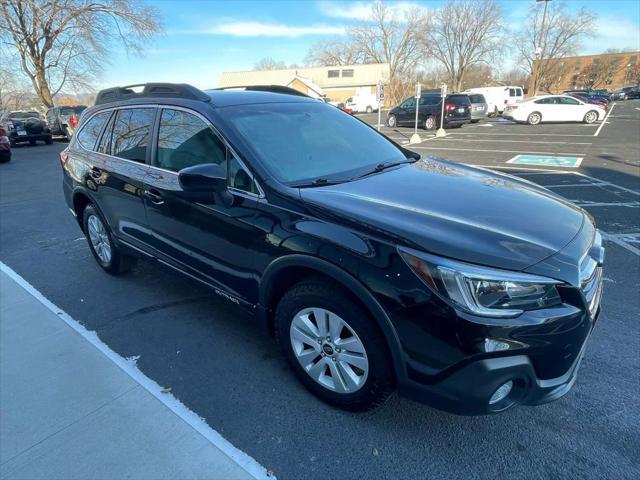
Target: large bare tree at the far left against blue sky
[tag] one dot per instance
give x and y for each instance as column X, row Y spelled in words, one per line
column 62, row 42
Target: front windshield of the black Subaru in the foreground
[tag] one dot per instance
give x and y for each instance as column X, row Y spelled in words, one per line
column 302, row 142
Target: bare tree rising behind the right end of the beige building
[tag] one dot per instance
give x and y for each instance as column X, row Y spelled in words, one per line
column 388, row 37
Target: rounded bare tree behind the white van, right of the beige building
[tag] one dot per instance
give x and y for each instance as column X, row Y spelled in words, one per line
column 465, row 34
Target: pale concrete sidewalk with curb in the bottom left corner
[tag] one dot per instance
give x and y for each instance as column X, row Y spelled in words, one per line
column 72, row 408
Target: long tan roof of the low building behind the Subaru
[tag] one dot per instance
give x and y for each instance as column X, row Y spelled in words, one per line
column 367, row 74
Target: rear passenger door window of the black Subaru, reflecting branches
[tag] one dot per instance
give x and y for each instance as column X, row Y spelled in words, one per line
column 131, row 131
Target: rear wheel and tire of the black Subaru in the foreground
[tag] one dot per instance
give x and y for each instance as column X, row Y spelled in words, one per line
column 101, row 243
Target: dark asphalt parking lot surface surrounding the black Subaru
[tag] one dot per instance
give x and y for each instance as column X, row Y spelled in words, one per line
column 219, row 363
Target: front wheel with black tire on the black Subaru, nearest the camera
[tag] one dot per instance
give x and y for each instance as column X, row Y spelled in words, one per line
column 334, row 346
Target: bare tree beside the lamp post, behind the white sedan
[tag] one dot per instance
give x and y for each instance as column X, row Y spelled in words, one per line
column 562, row 36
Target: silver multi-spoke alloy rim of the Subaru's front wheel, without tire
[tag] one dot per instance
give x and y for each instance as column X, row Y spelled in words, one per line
column 329, row 350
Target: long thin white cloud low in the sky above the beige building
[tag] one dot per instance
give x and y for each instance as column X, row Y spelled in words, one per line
column 261, row 29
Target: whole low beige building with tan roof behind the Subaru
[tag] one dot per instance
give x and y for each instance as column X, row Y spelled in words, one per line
column 337, row 83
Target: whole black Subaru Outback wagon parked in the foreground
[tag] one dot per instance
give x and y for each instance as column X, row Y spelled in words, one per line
column 376, row 269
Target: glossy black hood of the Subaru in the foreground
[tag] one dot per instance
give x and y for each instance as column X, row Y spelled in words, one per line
column 456, row 211
